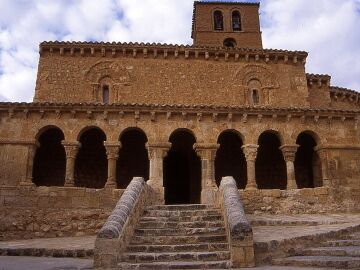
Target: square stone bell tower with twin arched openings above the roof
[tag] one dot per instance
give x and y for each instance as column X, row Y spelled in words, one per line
column 226, row 24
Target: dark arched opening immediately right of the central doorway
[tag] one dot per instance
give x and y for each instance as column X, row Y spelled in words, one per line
column 230, row 159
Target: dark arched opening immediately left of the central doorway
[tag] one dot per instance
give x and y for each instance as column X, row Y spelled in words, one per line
column 133, row 158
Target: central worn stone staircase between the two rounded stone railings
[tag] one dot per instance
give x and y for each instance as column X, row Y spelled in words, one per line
column 178, row 237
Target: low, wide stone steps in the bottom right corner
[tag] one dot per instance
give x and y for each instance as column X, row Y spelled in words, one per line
column 341, row 253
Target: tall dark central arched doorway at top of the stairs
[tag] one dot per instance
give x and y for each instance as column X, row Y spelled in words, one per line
column 182, row 169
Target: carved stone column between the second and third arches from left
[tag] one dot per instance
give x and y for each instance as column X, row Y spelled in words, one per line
column 112, row 153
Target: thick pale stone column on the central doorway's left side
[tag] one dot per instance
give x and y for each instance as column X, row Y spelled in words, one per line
column 157, row 151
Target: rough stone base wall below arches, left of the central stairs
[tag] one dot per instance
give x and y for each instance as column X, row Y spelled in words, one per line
column 53, row 211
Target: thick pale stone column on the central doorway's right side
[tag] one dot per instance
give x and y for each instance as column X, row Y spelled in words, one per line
column 207, row 153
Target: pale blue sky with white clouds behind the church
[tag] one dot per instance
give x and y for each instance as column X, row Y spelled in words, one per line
column 328, row 29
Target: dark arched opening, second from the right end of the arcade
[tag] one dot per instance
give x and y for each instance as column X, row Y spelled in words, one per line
column 270, row 166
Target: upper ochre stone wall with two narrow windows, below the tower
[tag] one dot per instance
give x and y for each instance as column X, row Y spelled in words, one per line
column 143, row 79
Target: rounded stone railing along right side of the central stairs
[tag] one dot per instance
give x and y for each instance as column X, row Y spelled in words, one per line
column 237, row 226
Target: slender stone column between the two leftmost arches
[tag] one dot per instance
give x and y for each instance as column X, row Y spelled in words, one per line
column 71, row 150
